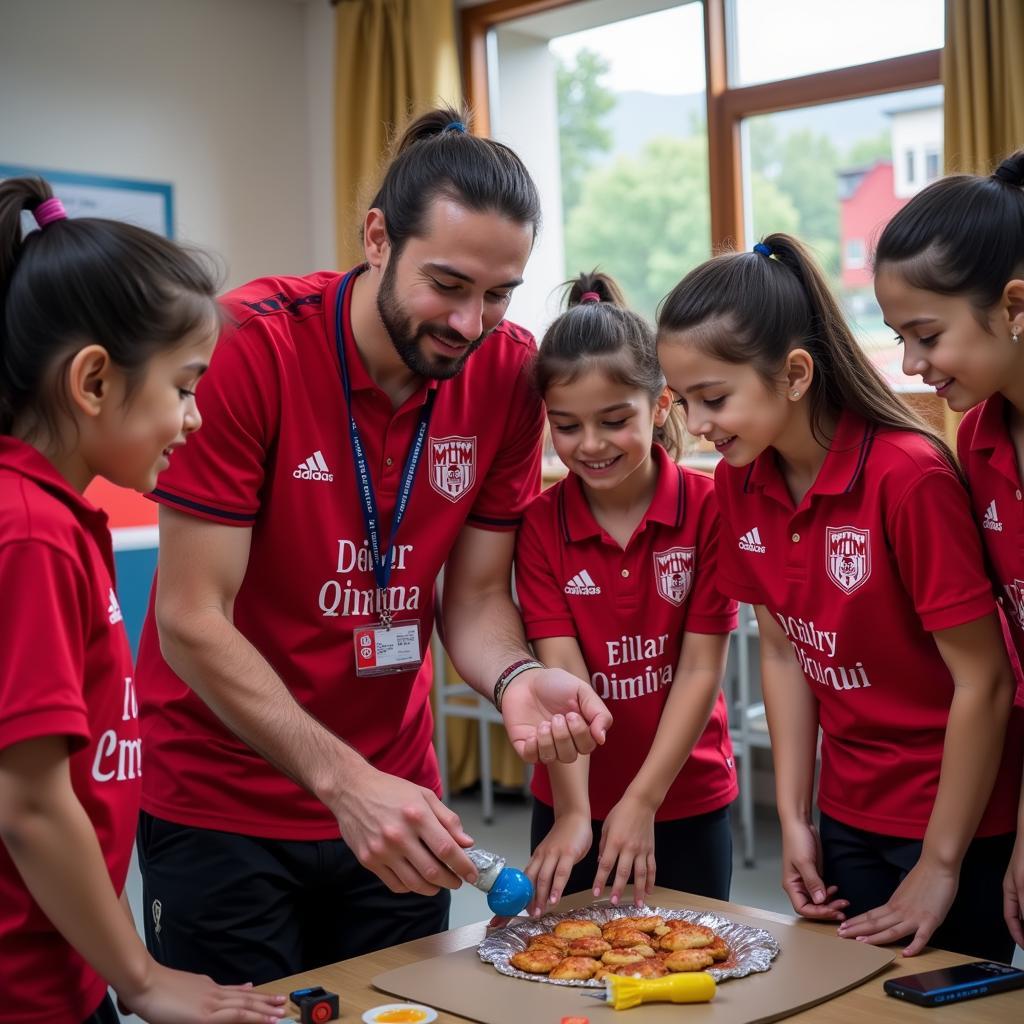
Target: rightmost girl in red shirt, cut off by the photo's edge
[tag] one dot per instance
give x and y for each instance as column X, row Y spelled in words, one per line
column 950, row 277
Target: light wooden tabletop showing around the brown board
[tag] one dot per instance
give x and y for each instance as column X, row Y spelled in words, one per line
column 865, row 1005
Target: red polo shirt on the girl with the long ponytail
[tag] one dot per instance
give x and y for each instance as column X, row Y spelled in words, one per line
column 881, row 553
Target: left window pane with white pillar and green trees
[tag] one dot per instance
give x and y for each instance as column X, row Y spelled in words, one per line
column 611, row 116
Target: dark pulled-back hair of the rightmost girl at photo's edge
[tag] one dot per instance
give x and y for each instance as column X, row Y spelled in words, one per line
column 964, row 235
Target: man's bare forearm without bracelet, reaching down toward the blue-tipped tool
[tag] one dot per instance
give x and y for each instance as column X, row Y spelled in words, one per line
column 245, row 693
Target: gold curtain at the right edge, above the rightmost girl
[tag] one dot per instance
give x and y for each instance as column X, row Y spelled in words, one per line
column 984, row 76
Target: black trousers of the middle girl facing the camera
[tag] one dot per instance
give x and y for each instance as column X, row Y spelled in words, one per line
column 694, row 855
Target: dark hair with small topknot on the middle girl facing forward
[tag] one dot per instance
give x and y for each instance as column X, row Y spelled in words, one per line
column 605, row 333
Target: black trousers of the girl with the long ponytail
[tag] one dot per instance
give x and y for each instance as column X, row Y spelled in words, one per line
column 868, row 869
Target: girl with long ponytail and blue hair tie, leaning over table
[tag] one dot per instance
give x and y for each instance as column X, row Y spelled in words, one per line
column 847, row 527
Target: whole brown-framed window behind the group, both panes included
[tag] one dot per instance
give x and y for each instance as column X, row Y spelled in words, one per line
column 810, row 119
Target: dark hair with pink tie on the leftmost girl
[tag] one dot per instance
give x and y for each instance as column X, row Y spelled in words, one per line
column 81, row 281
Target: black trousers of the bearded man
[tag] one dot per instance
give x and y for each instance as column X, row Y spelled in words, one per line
column 241, row 909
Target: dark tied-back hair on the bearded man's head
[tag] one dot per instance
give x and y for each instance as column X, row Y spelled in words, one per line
column 438, row 157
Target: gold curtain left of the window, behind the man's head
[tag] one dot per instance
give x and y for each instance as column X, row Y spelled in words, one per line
column 393, row 58
